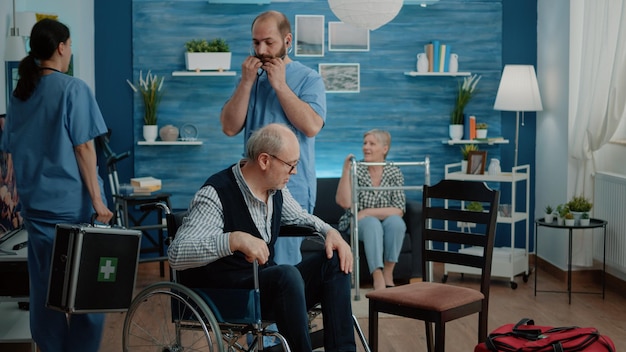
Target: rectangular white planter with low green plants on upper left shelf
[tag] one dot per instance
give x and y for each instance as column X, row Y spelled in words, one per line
column 207, row 55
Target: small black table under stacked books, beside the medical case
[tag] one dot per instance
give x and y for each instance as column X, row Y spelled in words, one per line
column 127, row 203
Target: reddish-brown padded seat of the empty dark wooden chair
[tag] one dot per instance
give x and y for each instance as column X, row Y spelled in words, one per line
column 427, row 295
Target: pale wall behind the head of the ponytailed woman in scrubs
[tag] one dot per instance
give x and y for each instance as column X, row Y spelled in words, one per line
column 77, row 15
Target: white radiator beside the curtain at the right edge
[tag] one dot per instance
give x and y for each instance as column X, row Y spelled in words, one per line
column 610, row 205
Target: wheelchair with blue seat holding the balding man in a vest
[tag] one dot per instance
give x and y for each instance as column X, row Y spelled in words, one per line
column 170, row 317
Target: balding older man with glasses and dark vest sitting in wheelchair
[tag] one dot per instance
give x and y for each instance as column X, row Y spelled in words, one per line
column 233, row 221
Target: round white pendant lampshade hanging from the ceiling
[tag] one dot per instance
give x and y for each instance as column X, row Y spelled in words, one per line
column 368, row 14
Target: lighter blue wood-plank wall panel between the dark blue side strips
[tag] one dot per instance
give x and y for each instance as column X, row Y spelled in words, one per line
column 414, row 109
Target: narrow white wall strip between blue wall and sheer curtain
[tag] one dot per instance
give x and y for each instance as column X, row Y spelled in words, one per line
column 553, row 37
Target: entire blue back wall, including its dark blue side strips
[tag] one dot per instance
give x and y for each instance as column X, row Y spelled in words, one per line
column 140, row 35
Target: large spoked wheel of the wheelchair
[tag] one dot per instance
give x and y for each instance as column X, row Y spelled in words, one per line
column 169, row 317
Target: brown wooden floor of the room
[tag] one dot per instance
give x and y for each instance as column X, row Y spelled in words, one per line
column 506, row 306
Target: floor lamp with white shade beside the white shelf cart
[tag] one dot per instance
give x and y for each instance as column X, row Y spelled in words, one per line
column 519, row 92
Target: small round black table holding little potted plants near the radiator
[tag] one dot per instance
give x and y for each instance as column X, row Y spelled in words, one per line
column 593, row 223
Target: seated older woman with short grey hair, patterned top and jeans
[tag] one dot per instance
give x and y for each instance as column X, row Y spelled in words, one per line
column 381, row 227
